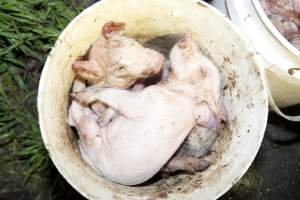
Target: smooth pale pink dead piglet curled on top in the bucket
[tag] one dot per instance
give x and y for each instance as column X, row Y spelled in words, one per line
column 153, row 122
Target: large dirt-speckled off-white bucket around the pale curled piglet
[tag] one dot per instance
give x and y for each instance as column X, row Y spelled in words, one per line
column 245, row 96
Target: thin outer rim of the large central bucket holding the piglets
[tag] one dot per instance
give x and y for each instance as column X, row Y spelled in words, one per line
column 69, row 27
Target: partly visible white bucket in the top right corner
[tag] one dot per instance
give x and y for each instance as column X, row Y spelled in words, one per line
column 279, row 55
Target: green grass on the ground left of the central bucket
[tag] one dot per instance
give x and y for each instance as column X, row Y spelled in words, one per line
column 28, row 30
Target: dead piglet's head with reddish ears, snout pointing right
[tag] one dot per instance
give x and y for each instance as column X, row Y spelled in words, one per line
column 115, row 60
